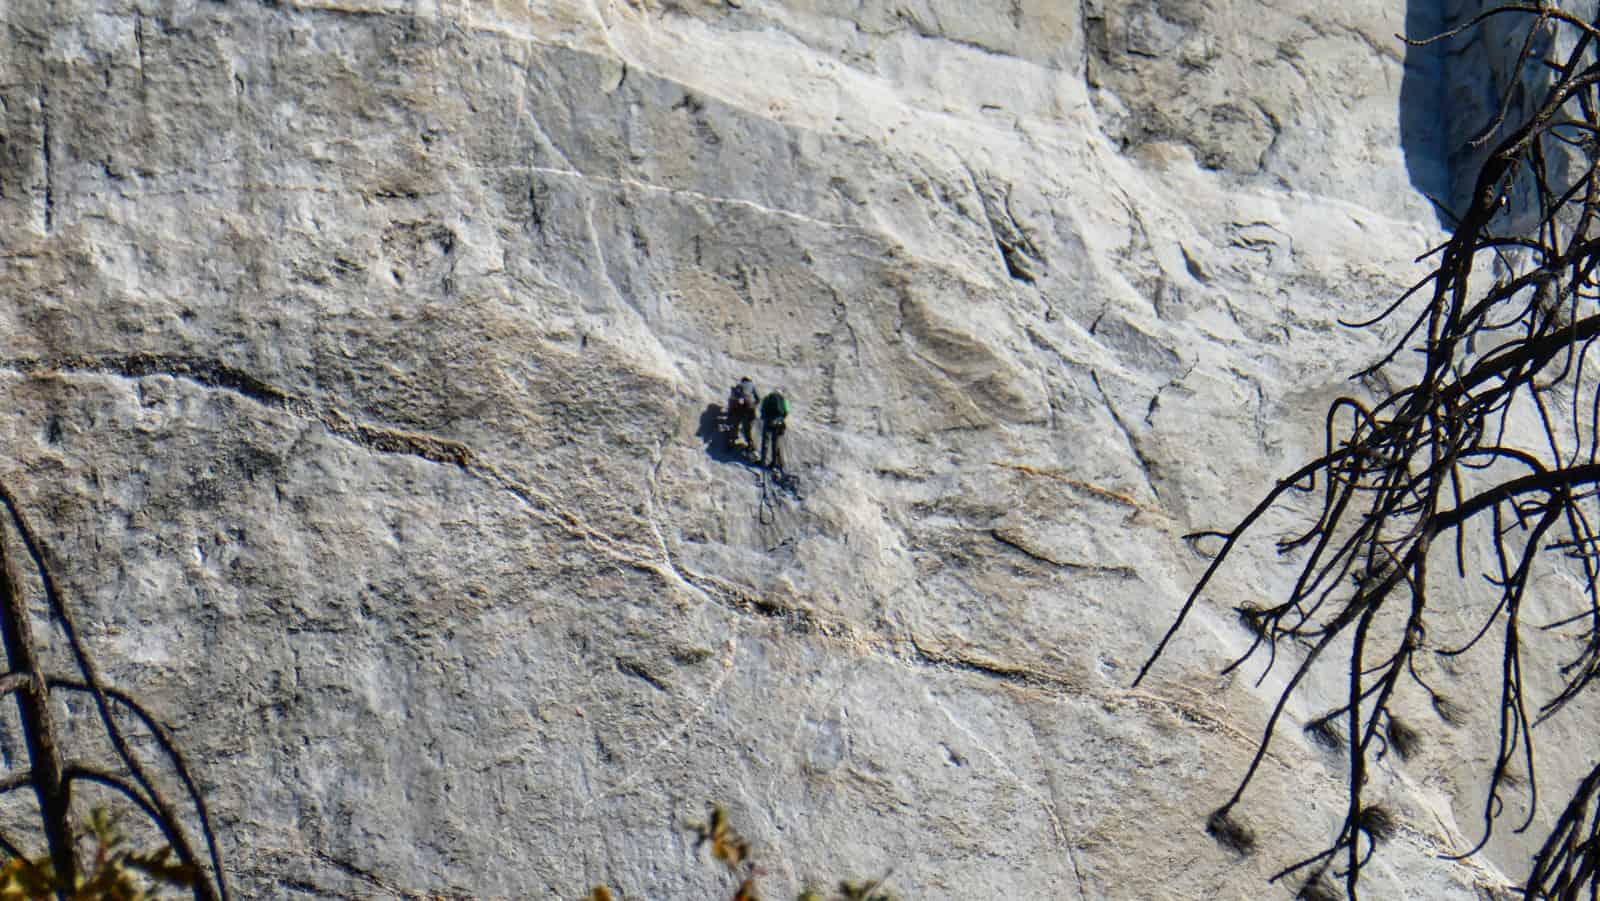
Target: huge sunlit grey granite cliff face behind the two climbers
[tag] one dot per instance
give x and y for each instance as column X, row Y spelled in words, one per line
column 361, row 361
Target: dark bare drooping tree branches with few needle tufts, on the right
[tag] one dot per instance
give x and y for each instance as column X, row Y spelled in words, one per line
column 1489, row 459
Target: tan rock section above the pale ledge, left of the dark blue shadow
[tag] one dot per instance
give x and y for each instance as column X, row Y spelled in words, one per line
column 1279, row 98
